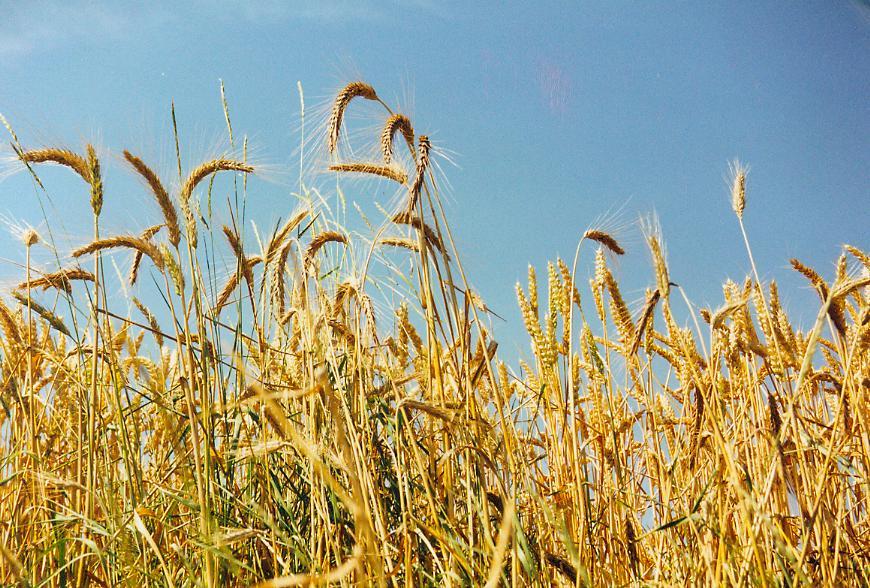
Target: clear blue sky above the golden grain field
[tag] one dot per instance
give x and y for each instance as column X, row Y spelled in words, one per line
column 555, row 114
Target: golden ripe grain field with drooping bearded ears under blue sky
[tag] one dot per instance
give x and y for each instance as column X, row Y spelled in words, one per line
column 281, row 427
